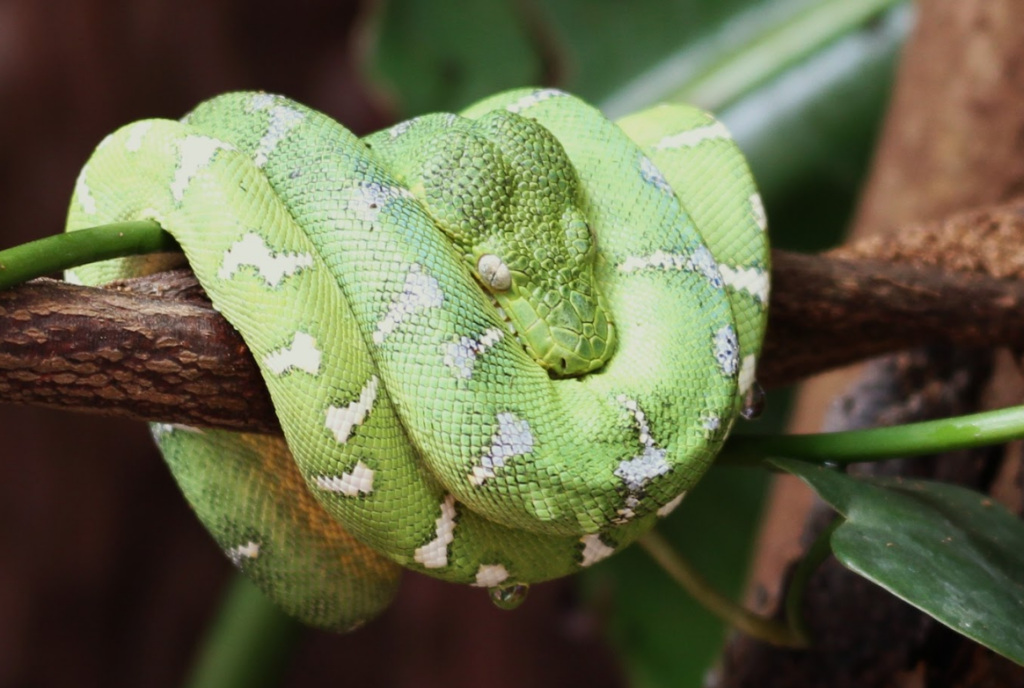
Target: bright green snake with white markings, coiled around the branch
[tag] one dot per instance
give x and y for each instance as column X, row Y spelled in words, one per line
column 501, row 345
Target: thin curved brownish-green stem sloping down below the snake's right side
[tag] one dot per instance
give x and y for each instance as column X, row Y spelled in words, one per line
column 734, row 615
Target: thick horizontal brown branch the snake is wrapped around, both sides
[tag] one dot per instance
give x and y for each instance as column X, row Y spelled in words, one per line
column 153, row 349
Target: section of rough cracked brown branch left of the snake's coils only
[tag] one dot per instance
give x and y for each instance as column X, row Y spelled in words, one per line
column 125, row 354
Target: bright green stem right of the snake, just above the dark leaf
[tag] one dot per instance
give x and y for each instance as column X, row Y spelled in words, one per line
column 915, row 440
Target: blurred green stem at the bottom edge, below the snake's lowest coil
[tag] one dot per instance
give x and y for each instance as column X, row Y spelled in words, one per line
column 249, row 644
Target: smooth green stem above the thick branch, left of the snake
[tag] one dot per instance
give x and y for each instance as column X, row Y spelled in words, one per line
column 72, row 249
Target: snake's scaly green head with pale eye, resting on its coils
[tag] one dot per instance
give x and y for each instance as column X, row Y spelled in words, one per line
column 504, row 191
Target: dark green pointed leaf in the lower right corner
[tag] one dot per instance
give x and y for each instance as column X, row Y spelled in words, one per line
column 953, row 553
